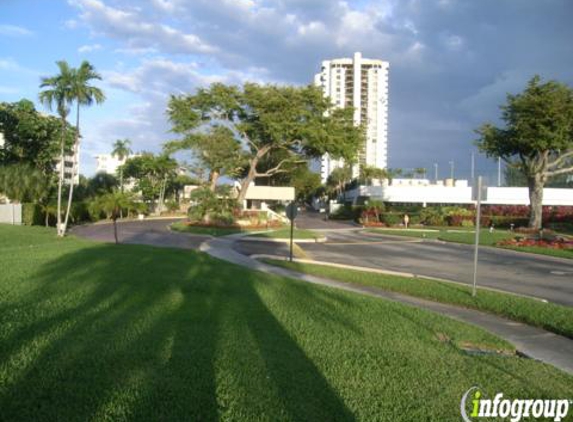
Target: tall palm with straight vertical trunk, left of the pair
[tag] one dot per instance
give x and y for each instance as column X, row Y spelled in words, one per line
column 57, row 94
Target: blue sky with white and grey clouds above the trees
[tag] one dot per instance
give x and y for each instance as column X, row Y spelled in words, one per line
column 451, row 61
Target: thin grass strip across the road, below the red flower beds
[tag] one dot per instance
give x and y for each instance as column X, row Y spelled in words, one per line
column 487, row 238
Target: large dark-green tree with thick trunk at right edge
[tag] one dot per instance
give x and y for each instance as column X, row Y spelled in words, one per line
column 537, row 138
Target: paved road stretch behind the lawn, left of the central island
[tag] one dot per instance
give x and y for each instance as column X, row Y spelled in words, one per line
column 147, row 232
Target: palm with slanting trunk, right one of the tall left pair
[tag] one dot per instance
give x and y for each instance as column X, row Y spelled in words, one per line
column 83, row 94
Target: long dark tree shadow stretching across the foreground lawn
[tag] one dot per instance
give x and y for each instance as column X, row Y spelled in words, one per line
column 140, row 333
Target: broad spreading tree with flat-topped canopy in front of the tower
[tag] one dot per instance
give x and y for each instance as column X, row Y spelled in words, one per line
column 297, row 121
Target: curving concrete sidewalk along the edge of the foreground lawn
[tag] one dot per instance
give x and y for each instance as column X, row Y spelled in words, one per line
column 532, row 342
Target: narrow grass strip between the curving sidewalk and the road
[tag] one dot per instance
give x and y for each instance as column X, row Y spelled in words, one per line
column 552, row 317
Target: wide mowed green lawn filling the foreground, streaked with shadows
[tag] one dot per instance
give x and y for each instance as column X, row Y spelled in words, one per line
column 102, row 332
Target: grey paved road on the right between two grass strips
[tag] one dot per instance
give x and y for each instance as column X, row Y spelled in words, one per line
column 542, row 277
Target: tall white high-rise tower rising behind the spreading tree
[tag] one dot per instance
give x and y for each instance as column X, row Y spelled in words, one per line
column 363, row 84
